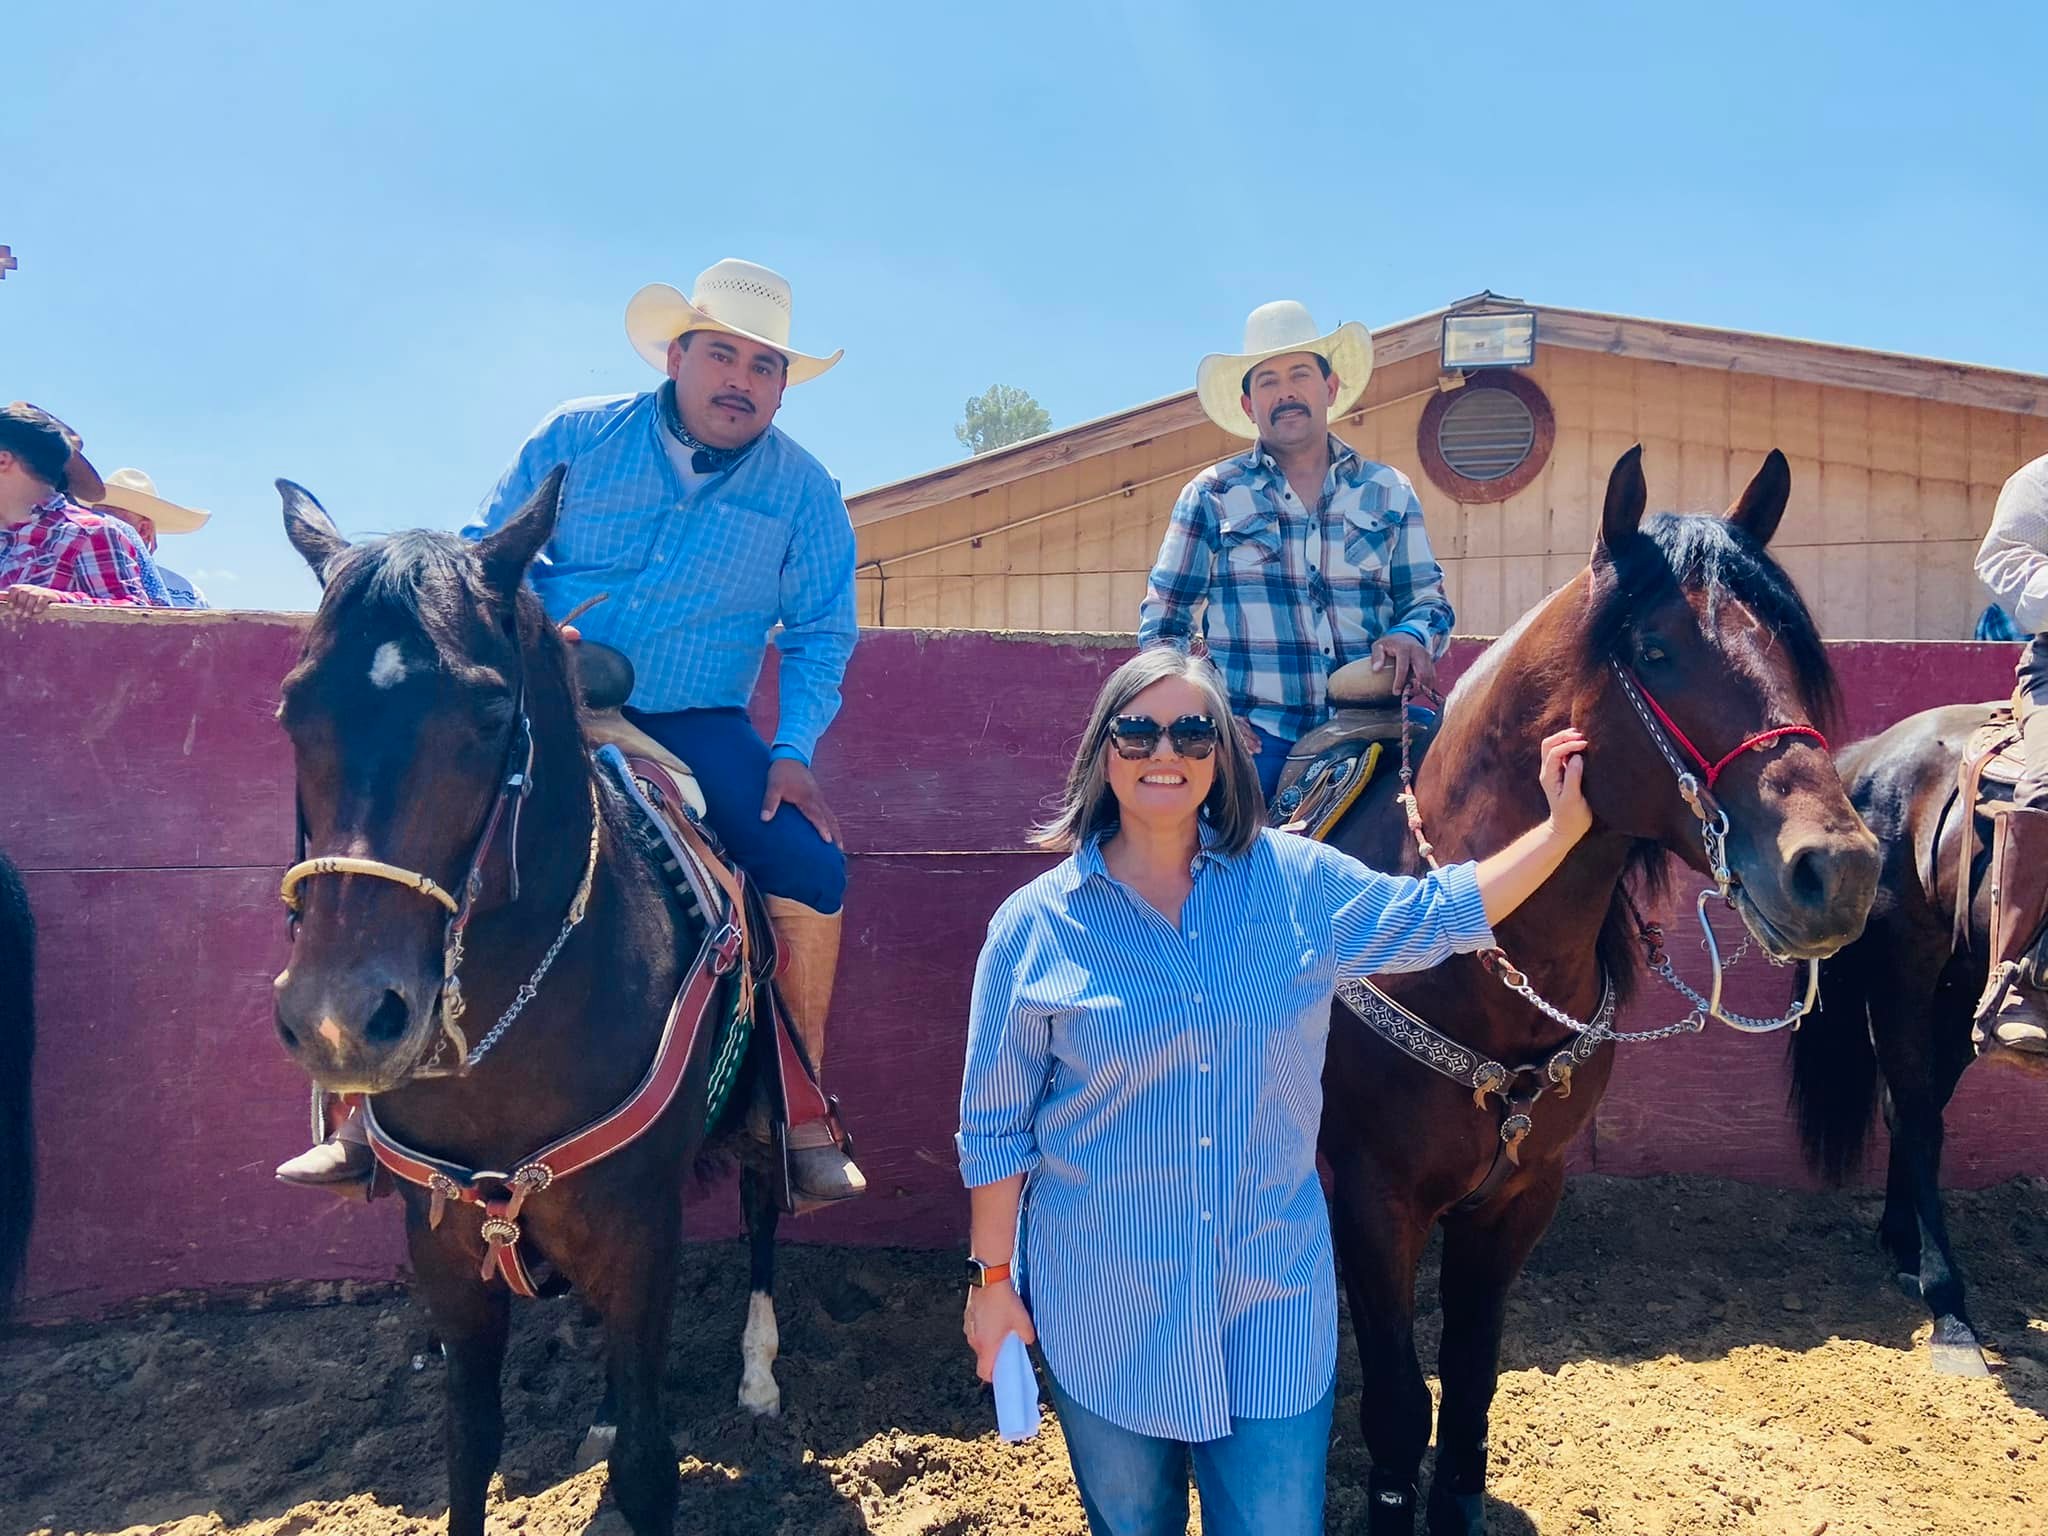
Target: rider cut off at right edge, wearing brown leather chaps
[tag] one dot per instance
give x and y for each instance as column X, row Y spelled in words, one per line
column 2014, row 564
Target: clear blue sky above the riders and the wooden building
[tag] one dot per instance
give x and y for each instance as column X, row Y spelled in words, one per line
column 370, row 245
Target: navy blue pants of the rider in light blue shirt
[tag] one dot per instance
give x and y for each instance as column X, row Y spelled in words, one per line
column 785, row 857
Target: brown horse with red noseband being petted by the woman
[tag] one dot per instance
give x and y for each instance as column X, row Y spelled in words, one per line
column 1691, row 613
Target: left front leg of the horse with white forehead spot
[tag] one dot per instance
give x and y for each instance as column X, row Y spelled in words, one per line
column 472, row 1322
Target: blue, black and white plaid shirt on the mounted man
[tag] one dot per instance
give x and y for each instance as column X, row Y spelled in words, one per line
column 1287, row 595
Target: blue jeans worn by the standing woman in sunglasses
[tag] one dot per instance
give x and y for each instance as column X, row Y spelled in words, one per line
column 1263, row 1480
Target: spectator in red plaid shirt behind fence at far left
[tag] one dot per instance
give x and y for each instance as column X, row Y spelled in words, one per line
column 52, row 548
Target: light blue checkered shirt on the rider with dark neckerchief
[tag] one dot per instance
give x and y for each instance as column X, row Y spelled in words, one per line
column 697, row 574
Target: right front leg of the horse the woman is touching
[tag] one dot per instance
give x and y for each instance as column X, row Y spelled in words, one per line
column 1484, row 1252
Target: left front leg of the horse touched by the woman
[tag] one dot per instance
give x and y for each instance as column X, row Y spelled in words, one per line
column 1379, row 1242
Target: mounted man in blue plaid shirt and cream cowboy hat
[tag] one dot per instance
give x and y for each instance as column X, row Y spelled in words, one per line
column 1297, row 556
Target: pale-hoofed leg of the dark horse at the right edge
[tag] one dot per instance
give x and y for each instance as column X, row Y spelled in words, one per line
column 1920, row 1084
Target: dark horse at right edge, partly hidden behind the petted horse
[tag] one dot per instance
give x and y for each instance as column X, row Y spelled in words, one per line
column 1895, row 1007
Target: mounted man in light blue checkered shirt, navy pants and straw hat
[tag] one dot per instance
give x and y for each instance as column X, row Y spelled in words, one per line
column 703, row 529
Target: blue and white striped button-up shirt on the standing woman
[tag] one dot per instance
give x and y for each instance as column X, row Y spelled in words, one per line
column 1162, row 1091
